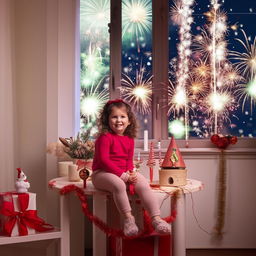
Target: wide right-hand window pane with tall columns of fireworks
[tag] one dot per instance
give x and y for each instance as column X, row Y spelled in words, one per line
column 212, row 68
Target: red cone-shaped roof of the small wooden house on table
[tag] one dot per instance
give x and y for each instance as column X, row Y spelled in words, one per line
column 173, row 158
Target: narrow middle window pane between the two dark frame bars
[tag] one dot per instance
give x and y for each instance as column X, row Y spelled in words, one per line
column 137, row 59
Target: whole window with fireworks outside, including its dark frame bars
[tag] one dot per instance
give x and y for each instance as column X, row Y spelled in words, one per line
column 187, row 67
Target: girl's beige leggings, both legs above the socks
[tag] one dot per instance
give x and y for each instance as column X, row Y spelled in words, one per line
column 110, row 182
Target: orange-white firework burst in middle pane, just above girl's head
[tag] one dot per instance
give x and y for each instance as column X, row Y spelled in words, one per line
column 137, row 93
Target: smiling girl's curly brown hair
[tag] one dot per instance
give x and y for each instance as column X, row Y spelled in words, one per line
column 103, row 122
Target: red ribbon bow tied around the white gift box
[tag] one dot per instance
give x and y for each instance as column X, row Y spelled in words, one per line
column 24, row 218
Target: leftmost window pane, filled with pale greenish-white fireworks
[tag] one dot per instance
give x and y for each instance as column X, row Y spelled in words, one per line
column 95, row 59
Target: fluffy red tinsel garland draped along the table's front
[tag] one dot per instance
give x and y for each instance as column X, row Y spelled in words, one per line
column 103, row 226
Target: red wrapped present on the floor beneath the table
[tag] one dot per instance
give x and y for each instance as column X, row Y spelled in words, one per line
column 142, row 246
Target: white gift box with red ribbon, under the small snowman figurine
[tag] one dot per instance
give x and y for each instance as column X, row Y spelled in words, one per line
column 18, row 215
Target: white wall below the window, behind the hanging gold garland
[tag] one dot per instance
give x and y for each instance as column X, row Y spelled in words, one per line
column 240, row 223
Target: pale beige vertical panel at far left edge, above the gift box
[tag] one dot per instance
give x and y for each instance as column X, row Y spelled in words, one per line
column 6, row 98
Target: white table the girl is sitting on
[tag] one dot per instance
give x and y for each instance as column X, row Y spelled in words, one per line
column 100, row 210
